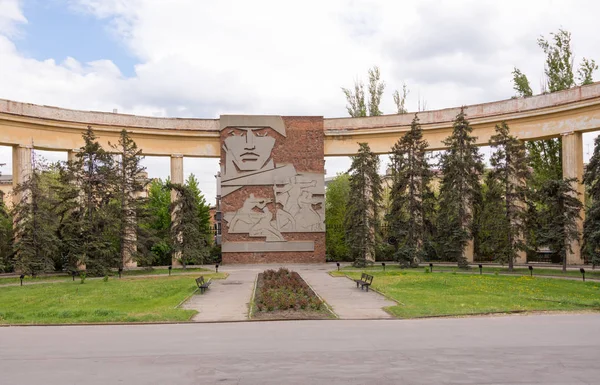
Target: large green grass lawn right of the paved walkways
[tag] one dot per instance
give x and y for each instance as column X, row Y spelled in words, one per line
column 445, row 294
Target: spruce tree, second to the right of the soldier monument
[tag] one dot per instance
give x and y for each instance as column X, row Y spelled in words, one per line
column 411, row 176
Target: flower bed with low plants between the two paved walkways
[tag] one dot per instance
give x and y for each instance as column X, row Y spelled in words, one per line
column 284, row 294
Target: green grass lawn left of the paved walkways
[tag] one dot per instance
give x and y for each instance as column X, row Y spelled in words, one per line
column 117, row 300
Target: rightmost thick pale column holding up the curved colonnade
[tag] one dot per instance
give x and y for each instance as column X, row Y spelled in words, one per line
column 572, row 159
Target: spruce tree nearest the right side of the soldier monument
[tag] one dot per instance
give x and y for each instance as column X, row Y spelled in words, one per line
column 362, row 216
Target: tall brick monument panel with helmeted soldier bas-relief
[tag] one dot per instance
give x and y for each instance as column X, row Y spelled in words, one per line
column 272, row 189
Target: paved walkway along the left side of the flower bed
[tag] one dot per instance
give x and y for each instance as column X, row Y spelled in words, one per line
column 226, row 299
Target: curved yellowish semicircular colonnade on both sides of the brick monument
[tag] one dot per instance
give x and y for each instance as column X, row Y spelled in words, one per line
column 567, row 113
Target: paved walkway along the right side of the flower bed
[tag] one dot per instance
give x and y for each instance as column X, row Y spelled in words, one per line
column 347, row 301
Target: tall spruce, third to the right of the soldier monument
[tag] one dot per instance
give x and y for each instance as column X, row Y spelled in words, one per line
column 461, row 166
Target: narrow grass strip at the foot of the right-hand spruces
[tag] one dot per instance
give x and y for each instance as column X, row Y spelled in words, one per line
column 393, row 266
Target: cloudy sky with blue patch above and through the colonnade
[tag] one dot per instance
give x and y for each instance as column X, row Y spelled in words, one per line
column 196, row 58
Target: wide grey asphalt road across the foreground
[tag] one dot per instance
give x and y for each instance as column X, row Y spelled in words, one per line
column 548, row 349
